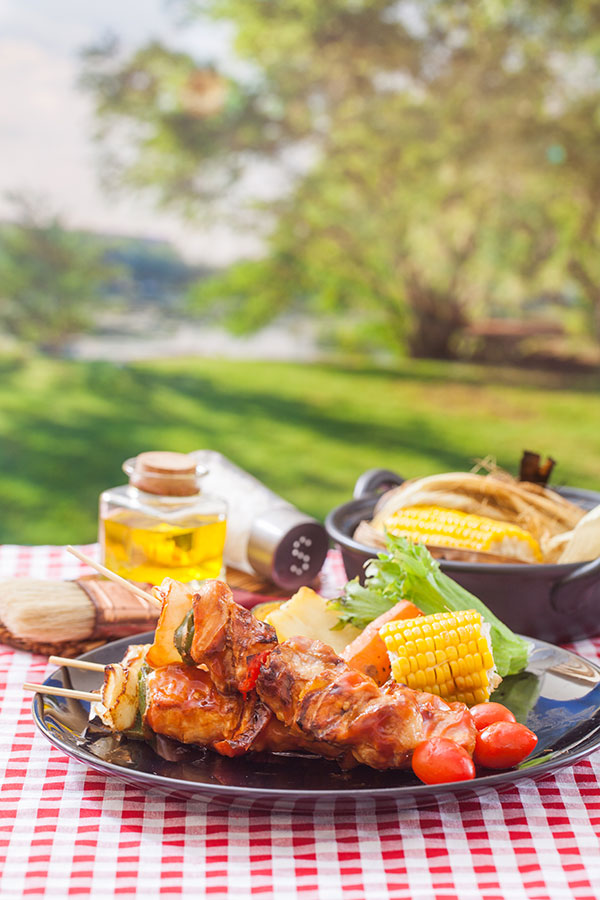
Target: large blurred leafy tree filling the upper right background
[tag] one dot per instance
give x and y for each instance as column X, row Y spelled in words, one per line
column 438, row 158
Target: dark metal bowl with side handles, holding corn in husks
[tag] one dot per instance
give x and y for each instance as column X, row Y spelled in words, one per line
column 557, row 603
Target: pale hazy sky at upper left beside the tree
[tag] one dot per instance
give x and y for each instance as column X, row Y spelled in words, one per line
column 46, row 123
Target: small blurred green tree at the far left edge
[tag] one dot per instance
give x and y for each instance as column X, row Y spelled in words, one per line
column 50, row 278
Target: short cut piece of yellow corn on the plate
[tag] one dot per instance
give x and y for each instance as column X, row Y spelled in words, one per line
column 446, row 654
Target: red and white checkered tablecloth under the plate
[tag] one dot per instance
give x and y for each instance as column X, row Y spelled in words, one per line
column 66, row 830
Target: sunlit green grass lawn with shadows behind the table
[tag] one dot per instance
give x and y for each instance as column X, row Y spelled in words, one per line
column 307, row 431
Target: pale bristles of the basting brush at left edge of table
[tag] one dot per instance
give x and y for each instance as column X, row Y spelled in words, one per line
column 46, row 611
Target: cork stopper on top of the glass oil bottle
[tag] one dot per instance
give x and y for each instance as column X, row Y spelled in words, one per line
column 164, row 472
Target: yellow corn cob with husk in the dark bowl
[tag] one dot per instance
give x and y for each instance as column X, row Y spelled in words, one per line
column 440, row 527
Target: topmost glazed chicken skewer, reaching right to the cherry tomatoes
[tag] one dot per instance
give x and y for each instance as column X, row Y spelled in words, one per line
column 311, row 691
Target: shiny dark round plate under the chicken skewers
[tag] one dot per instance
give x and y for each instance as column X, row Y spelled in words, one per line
column 558, row 697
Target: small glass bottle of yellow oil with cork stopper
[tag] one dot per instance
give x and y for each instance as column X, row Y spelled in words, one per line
column 161, row 524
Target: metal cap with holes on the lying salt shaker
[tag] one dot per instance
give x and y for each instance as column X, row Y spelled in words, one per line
column 287, row 546
